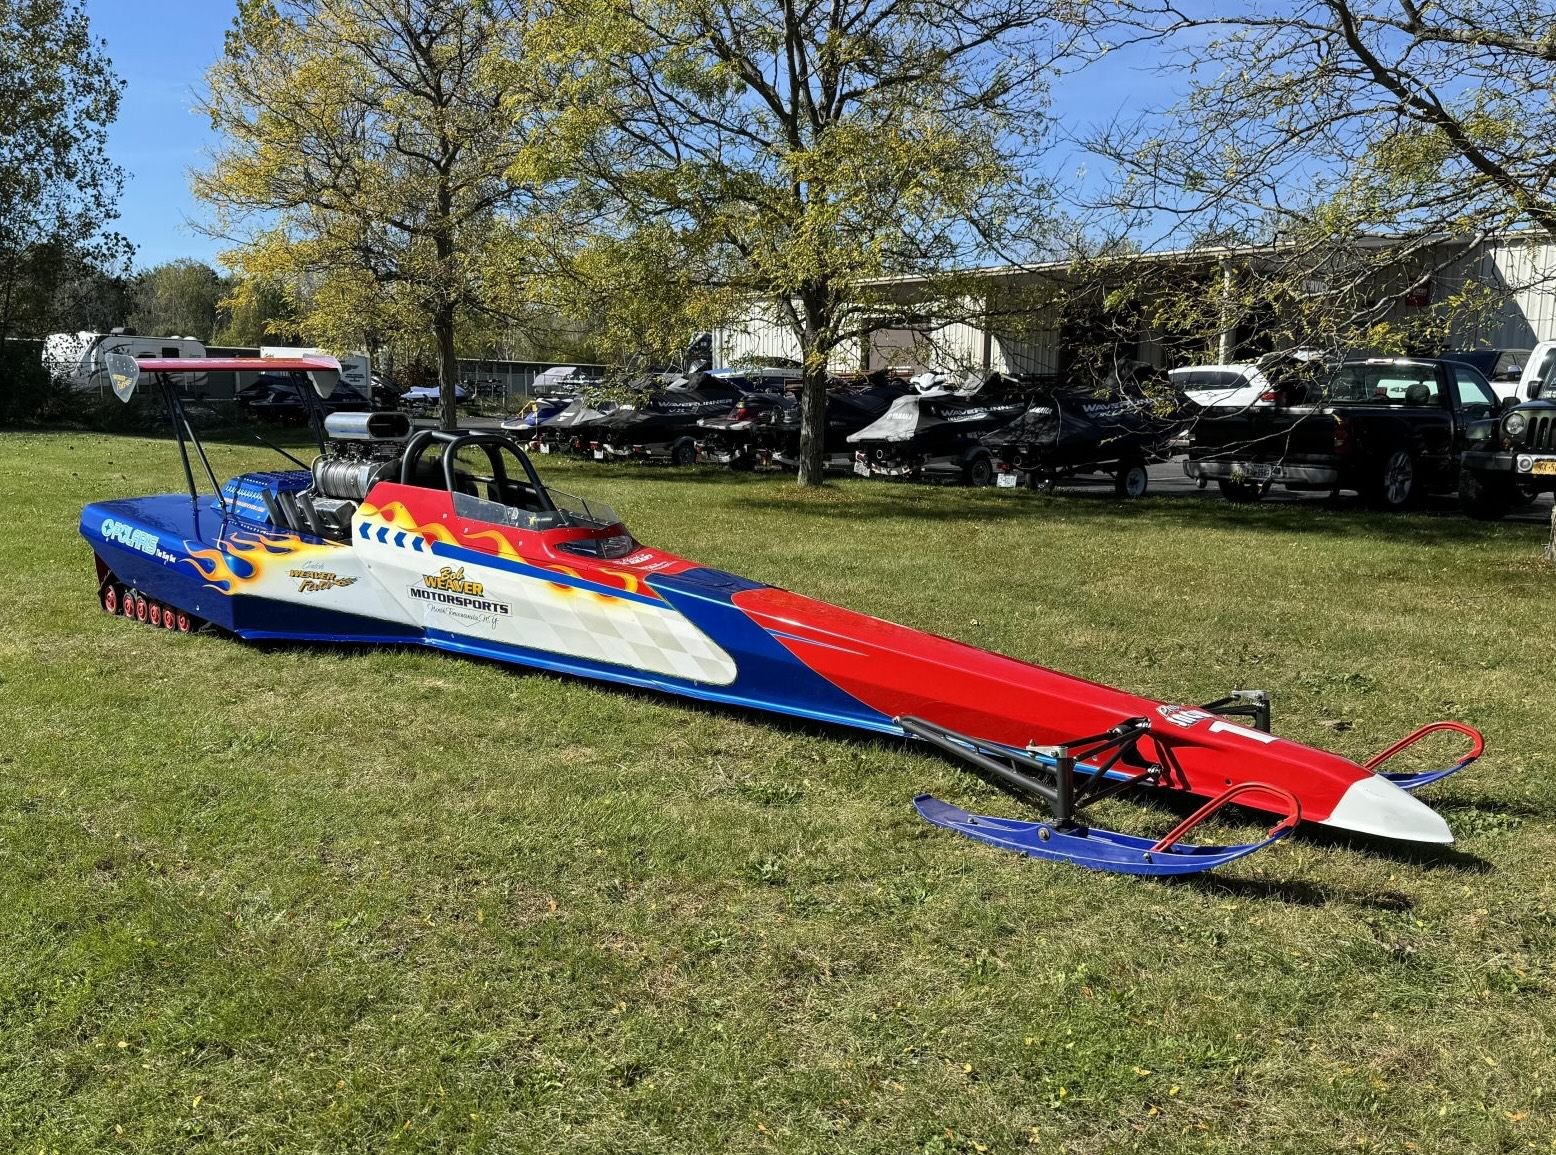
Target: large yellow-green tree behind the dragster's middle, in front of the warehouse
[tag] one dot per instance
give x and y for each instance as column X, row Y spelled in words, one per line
column 799, row 153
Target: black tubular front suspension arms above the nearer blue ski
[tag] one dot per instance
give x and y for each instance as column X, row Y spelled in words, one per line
column 1050, row 773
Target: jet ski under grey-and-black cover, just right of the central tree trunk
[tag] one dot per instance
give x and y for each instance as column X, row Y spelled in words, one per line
column 934, row 432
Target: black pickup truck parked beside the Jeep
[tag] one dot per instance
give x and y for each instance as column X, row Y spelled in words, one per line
column 1390, row 429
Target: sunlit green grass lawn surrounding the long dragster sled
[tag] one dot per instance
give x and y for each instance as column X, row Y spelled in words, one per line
column 332, row 902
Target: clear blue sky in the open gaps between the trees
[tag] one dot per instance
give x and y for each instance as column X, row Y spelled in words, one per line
column 161, row 49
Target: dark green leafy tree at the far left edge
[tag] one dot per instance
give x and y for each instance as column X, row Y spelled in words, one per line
column 58, row 191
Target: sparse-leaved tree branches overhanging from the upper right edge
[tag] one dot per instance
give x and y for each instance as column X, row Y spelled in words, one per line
column 1345, row 156
